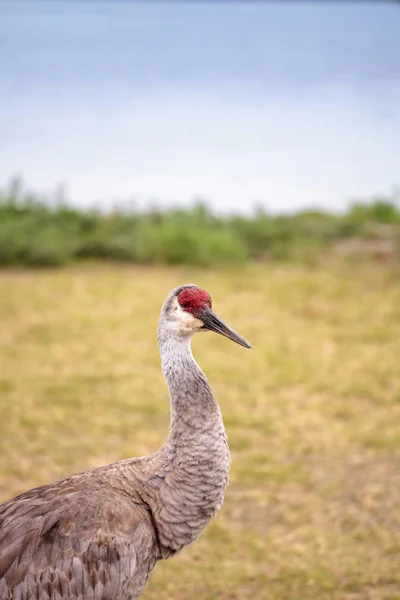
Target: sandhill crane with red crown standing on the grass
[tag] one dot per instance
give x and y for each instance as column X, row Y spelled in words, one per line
column 98, row 534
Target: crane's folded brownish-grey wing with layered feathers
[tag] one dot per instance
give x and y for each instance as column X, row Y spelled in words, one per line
column 75, row 539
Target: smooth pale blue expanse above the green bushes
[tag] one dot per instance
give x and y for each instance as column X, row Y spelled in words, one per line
column 287, row 104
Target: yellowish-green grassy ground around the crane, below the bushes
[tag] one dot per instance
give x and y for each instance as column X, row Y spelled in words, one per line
column 312, row 413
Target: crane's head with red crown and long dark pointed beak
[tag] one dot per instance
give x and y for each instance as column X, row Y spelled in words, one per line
column 188, row 310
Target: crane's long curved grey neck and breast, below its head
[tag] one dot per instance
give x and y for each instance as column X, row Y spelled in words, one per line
column 186, row 479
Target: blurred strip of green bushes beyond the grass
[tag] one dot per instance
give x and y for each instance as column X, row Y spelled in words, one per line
column 40, row 232
